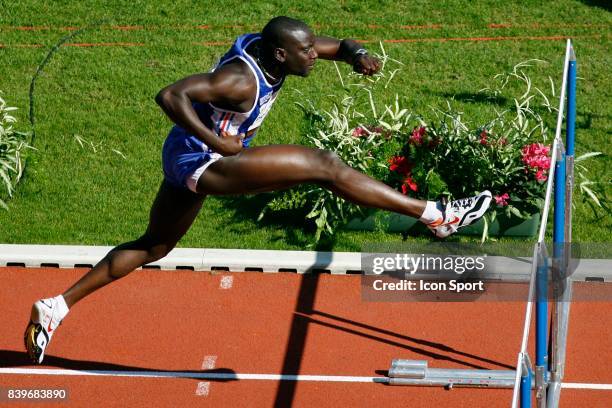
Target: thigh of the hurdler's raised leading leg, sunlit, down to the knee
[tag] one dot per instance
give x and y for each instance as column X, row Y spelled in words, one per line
column 264, row 168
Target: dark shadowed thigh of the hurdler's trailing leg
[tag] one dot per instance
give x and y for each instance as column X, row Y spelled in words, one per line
column 172, row 213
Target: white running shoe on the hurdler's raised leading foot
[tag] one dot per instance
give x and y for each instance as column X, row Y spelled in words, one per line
column 460, row 213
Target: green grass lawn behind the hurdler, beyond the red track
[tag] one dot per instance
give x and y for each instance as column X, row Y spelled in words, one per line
column 100, row 192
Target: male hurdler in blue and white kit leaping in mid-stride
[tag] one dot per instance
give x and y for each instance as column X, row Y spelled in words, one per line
column 216, row 115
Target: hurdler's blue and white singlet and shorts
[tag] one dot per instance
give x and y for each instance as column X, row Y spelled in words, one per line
column 183, row 153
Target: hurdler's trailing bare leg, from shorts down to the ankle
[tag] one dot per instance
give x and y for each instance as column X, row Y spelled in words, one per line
column 172, row 213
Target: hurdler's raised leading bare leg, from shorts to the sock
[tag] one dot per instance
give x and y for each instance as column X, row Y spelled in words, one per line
column 276, row 167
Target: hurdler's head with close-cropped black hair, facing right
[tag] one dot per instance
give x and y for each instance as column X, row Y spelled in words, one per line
column 290, row 43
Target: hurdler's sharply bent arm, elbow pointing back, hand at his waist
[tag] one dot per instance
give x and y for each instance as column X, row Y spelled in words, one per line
column 225, row 86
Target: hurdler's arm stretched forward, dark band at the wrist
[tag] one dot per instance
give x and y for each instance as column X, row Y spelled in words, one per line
column 349, row 51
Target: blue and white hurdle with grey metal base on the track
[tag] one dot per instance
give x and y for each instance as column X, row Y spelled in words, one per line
column 548, row 374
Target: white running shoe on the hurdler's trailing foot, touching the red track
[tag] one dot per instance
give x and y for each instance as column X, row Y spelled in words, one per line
column 46, row 316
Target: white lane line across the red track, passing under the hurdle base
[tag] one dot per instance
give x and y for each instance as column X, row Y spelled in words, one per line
column 236, row 376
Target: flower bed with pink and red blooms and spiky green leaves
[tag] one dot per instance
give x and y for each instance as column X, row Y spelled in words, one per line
column 428, row 157
